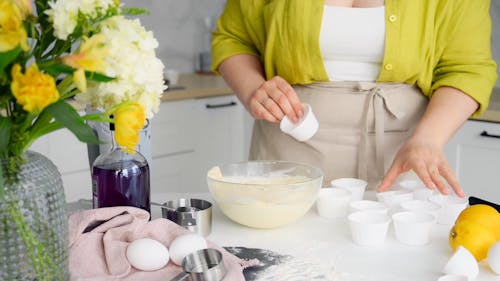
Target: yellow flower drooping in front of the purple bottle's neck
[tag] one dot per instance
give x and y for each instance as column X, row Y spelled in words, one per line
column 129, row 120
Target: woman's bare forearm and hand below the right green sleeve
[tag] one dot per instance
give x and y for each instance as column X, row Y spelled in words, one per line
column 448, row 109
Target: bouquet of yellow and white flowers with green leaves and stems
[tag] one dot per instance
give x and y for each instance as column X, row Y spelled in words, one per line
column 54, row 54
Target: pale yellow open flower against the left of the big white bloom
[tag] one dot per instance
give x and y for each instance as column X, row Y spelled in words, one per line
column 90, row 56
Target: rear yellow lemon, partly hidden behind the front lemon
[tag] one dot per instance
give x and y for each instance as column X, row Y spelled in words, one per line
column 482, row 214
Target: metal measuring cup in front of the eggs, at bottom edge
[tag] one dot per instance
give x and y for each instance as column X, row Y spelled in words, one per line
column 203, row 265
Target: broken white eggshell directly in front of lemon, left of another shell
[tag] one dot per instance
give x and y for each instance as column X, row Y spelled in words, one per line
column 462, row 262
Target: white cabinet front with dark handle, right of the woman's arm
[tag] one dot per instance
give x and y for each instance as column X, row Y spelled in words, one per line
column 474, row 153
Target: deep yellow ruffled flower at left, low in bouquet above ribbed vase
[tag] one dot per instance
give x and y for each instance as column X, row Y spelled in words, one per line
column 33, row 90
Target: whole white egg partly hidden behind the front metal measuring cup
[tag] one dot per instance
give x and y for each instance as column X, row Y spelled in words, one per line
column 184, row 245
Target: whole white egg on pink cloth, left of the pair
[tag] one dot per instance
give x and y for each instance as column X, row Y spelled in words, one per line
column 147, row 254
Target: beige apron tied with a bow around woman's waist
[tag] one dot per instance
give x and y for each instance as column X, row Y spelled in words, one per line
column 361, row 127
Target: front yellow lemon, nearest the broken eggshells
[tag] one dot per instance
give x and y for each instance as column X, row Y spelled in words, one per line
column 473, row 236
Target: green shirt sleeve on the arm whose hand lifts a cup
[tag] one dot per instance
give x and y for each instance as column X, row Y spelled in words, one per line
column 231, row 36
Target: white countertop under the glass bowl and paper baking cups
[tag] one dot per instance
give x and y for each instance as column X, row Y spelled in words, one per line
column 325, row 244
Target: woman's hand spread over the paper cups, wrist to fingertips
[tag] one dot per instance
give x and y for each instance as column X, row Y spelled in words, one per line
column 428, row 162
